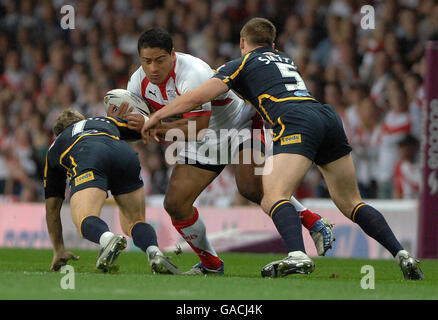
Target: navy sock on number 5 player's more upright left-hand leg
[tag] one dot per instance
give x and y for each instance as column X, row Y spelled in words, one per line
column 288, row 223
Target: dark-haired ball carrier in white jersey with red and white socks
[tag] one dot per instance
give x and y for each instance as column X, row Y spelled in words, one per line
column 164, row 75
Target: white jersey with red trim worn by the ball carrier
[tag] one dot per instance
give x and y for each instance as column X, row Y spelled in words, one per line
column 227, row 111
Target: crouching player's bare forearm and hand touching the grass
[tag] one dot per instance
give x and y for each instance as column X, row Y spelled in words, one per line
column 54, row 227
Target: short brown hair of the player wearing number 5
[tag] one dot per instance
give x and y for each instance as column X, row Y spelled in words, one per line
column 259, row 31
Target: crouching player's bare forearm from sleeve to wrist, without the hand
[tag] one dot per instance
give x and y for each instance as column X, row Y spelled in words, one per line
column 53, row 220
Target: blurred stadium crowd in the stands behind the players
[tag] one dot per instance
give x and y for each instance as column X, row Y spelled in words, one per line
column 373, row 77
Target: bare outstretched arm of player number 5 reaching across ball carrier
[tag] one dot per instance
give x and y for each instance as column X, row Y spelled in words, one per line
column 187, row 102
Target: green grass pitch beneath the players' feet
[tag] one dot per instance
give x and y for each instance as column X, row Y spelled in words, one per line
column 24, row 274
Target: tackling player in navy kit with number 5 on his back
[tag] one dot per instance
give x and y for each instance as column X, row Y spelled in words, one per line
column 305, row 132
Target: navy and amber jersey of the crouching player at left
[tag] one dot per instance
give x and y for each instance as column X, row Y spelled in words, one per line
column 74, row 142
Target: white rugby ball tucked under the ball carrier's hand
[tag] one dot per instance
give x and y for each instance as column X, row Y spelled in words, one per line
column 118, row 96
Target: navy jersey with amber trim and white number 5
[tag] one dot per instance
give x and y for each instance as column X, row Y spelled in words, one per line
column 266, row 78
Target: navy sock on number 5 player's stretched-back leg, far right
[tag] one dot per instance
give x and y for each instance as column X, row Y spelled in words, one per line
column 374, row 224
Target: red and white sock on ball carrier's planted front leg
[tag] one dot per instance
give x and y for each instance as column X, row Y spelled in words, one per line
column 195, row 234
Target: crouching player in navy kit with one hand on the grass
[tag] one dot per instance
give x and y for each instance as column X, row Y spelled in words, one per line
column 91, row 153
